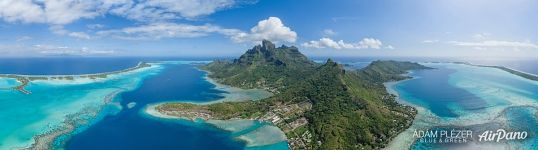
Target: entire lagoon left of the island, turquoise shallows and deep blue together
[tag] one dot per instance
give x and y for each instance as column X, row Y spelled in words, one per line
column 109, row 113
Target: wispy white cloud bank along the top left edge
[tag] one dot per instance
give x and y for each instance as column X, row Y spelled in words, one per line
column 58, row 13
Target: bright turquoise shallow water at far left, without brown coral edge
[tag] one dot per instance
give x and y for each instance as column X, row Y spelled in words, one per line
column 25, row 116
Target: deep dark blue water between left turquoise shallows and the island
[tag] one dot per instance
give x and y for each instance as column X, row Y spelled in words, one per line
column 129, row 129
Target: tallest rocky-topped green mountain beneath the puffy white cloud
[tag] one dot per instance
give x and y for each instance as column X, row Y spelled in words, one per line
column 263, row 66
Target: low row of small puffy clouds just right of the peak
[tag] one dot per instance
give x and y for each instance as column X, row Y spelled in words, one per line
column 366, row 43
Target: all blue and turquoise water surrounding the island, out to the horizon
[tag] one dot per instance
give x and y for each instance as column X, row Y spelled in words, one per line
column 463, row 96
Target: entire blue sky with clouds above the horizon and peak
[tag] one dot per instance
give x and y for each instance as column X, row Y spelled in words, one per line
column 489, row 29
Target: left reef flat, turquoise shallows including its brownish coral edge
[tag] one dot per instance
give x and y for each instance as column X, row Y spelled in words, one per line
column 58, row 105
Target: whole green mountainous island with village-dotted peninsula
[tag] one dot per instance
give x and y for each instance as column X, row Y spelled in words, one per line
column 318, row 106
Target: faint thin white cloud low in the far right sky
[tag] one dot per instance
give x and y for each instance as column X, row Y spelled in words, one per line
column 496, row 44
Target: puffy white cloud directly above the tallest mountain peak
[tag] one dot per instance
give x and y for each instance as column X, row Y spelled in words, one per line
column 270, row 29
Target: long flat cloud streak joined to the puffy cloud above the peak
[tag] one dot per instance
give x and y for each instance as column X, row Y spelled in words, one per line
column 271, row 29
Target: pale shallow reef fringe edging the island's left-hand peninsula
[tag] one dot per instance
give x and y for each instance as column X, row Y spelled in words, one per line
column 232, row 94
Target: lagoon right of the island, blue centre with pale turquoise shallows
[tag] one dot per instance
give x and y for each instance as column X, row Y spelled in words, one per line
column 458, row 96
